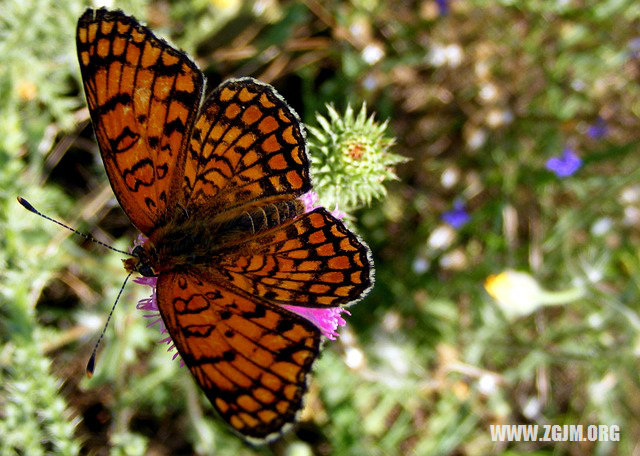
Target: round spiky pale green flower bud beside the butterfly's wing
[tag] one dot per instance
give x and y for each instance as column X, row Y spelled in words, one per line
column 350, row 158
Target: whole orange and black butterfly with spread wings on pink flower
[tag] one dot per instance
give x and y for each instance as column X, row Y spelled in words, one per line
column 215, row 186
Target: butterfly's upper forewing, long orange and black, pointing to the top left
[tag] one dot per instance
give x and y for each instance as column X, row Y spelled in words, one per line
column 143, row 96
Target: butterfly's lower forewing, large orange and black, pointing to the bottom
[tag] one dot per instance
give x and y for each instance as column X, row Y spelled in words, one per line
column 250, row 358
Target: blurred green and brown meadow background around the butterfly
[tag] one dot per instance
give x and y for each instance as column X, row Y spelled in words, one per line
column 507, row 254
